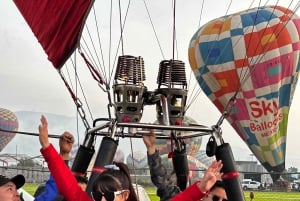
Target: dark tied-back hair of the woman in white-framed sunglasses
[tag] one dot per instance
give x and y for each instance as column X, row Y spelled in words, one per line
column 115, row 180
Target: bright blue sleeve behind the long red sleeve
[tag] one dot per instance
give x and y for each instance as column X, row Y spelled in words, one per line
column 50, row 192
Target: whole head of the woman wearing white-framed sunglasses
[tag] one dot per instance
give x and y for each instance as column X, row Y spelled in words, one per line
column 114, row 184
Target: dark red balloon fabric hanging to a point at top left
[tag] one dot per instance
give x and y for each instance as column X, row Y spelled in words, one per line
column 57, row 24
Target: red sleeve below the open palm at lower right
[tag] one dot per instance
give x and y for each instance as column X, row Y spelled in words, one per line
column 192, row 193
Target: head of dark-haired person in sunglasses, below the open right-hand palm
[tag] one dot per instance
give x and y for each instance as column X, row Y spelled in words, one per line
column 217, row 192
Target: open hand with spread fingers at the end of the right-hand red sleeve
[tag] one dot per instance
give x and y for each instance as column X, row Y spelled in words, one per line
column 211, row 175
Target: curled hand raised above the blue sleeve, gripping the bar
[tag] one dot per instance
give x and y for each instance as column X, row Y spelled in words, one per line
column 66, row 141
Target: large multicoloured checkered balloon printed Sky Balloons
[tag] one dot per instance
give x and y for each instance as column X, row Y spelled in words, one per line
column 253, row 57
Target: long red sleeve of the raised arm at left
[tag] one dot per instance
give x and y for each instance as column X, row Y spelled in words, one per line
column 64, row 179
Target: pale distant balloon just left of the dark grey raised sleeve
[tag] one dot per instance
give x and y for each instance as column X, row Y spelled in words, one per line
column 139, row 160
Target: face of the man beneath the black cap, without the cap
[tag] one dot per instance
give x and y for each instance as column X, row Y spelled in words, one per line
column 8, row 192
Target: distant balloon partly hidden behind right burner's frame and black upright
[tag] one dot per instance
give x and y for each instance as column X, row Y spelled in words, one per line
column 192, row 144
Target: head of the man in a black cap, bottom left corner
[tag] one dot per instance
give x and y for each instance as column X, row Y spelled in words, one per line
column 9, row 187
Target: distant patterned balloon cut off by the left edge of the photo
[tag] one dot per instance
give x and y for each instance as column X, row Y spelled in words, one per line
column 8, row 122
